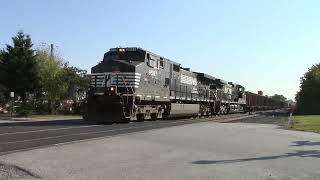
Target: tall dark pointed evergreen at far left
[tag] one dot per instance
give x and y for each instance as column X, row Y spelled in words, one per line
column 19, row 67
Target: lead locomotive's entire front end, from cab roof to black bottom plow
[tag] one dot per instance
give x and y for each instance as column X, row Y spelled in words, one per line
column 113, row 82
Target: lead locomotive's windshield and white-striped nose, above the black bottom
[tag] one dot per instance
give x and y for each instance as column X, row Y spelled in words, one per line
column 117, row 72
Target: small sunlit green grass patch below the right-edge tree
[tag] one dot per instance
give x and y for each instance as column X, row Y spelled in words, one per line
column 306, row 123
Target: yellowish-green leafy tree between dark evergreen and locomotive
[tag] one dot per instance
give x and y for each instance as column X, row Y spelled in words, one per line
column 59, row 81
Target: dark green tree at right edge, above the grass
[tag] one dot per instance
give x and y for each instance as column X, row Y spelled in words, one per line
column 308, row 98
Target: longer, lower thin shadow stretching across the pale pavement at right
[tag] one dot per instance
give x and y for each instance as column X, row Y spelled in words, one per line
column 309, row 153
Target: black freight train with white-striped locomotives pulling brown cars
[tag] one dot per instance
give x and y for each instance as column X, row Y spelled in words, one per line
column 134, row 84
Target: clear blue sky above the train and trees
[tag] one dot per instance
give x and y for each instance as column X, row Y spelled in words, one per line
column 263, row 45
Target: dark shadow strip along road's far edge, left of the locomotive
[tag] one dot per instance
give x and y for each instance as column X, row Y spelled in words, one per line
column 68, row 122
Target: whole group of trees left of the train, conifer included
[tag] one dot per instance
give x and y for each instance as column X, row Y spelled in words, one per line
column 41, row 80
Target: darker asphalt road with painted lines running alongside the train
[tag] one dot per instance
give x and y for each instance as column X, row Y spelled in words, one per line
column 17, row 136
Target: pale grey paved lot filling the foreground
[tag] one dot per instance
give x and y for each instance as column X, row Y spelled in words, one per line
column 206, row 150
